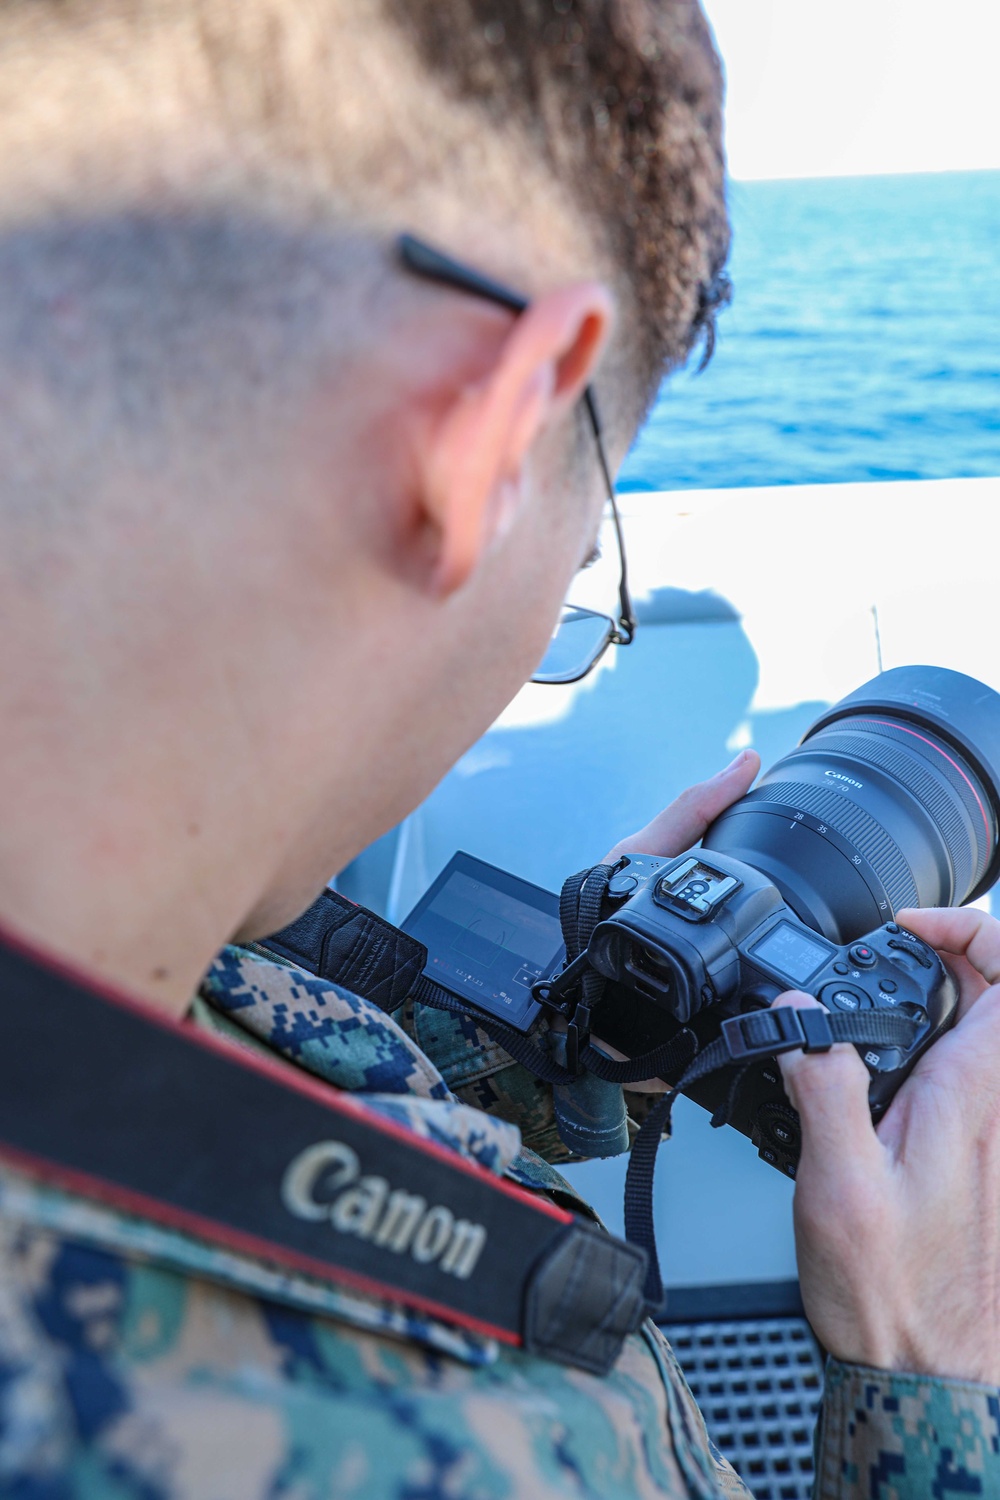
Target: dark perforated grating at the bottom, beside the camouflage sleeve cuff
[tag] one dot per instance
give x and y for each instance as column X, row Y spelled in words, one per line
column 759, row 1384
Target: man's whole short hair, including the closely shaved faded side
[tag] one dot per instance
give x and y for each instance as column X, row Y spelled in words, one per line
column 588, row 125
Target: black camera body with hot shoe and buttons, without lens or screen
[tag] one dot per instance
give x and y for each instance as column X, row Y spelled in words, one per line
column 702, row 938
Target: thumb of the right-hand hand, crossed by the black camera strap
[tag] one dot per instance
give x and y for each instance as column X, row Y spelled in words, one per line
column 830, row 1090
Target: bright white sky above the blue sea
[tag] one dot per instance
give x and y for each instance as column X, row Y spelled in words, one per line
column 851, row 88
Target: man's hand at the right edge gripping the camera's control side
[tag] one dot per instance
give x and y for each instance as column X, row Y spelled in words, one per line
column 899, row 1228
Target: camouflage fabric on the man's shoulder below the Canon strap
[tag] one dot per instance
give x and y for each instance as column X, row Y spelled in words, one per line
column 131, row 1381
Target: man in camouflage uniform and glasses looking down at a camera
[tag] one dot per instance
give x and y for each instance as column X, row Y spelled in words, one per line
column 283, row 529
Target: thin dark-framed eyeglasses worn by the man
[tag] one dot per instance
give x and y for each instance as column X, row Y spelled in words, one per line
column 582, row 637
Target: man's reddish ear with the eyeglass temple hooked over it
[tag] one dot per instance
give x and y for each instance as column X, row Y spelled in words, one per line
column 475, row 461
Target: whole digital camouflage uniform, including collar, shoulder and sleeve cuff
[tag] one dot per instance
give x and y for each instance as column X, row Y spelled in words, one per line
column 142, row 1363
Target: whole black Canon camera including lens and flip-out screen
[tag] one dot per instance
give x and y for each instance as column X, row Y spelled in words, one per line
column 890, row 802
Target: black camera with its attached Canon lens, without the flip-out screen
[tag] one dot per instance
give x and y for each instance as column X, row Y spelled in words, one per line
column 891, row 800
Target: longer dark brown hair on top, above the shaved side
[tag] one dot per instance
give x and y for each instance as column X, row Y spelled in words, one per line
column 623, row 101
